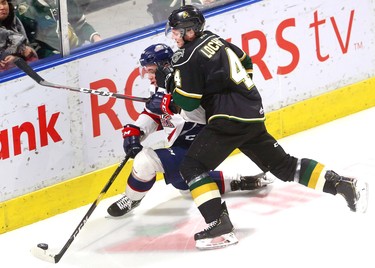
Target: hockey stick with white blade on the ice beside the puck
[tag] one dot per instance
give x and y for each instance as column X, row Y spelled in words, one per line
column 41, row 250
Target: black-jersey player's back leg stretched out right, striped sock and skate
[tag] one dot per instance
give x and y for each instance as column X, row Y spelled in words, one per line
column 268, row 153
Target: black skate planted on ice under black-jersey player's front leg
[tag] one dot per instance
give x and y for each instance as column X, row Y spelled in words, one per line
column 218, row 234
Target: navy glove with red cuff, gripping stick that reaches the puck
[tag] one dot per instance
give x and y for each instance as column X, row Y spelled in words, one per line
column 132, row 144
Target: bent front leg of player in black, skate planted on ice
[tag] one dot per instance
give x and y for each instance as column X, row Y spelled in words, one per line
column 212, row 146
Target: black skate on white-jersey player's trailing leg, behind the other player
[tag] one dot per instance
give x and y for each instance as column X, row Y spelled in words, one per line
column 251, row 182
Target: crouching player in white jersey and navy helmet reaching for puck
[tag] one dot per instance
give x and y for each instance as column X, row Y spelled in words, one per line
column 179, row 132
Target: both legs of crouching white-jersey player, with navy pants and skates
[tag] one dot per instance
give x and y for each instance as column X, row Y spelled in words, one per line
column 167, row 161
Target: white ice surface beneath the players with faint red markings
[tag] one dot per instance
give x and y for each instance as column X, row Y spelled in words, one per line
column 285, row 225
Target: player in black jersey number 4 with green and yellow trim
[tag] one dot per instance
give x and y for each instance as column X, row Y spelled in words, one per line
column 212, row 73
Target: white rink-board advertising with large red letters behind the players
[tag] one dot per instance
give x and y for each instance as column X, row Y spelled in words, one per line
column 300, row 49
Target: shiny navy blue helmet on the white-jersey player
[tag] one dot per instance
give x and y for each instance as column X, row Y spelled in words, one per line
column 159, row 54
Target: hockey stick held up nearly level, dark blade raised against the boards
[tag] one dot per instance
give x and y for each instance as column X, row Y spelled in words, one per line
column 20, row 63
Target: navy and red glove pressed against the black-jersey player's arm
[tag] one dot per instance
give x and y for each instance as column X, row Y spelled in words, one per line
column 161, row 103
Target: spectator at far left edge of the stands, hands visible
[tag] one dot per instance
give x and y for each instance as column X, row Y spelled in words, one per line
column 13, row 40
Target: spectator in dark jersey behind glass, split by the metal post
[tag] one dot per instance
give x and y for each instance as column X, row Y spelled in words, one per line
column 40, row 18
